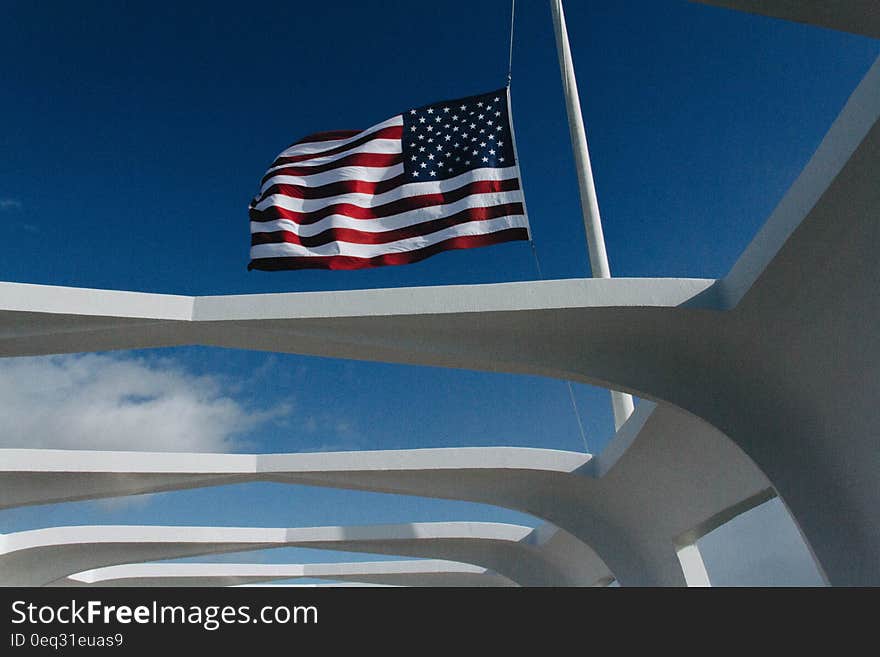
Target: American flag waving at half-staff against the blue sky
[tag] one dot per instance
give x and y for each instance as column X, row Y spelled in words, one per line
column 437, row 177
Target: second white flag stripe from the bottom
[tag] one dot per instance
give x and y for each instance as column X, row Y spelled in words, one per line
column 392, row 222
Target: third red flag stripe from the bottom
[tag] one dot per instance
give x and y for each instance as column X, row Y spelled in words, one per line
column 388, row 209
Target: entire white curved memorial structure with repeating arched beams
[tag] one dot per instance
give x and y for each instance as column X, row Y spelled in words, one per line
column 763, row 383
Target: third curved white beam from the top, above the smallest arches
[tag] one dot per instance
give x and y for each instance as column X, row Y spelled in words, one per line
column 521, row 554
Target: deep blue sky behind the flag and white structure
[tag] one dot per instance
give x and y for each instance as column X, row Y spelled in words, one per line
column 134, row 134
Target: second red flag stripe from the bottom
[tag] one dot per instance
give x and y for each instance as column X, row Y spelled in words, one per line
column 354, row 236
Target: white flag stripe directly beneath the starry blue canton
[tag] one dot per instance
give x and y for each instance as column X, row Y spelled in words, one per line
column 404, row 191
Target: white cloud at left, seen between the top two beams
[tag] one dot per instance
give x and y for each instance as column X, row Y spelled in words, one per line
column 98, row 401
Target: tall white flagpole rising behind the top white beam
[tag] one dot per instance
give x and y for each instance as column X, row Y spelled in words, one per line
column 621, row 402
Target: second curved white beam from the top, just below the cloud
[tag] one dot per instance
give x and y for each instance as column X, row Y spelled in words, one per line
column 636, row 505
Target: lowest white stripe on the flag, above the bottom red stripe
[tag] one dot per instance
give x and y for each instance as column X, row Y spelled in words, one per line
column 286, row 250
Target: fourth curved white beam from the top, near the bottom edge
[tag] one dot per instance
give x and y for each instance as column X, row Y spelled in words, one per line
column 422, row 572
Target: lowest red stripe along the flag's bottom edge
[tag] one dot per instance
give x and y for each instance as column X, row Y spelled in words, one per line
column 404, row 258
